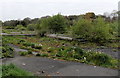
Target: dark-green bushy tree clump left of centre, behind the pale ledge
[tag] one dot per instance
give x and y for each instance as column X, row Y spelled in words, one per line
column 55, row 24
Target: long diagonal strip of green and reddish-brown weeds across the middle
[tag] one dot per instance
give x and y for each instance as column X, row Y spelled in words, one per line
column 60, row 49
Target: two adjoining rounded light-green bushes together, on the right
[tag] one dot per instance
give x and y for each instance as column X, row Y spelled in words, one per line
column 97, row 31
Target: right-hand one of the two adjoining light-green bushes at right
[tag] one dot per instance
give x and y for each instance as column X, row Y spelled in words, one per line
column 101, row 32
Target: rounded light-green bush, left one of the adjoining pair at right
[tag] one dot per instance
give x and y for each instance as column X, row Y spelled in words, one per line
column 82, row 29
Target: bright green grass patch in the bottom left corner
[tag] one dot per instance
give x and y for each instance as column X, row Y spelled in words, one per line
column 12, row 70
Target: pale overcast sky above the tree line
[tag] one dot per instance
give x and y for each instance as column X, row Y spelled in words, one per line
column 19, row 9
